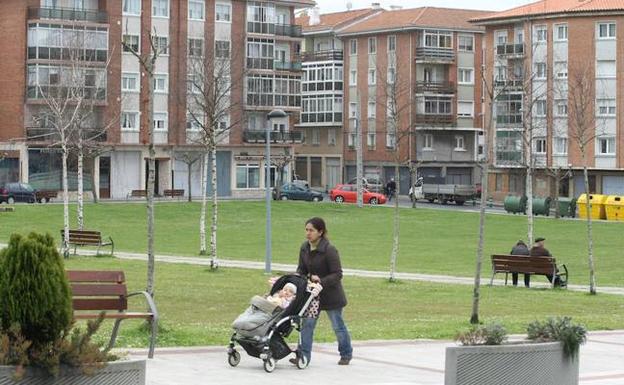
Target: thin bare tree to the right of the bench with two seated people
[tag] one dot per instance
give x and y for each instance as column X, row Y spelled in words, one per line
column 584, row 127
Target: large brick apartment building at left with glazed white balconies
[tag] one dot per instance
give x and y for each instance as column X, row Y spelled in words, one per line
column 257, row 38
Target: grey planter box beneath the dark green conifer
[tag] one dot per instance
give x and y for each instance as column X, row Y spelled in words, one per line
column 130, row 372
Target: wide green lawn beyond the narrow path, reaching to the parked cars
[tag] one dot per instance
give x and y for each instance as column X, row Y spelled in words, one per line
column 432, row 241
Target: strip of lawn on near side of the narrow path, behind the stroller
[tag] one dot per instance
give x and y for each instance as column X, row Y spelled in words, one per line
column 197, row 306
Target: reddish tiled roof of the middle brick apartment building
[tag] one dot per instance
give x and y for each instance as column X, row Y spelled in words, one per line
column 431, row 17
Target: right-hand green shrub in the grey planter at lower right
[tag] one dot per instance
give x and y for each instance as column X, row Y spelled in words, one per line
column 559, row 329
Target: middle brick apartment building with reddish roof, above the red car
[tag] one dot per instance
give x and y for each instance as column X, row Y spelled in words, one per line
column 429, row 59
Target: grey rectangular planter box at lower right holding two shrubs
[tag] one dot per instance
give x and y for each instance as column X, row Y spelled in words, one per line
column 512, row 364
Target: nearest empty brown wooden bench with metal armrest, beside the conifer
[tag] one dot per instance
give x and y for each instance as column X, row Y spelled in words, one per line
column 97, row 291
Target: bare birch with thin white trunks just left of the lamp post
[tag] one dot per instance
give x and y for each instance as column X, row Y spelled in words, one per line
column 208, row 100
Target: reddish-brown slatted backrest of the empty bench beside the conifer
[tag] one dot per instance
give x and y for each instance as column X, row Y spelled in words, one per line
column 98, row 290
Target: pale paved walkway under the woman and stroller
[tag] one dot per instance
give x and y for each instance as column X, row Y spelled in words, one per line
column 418, row 362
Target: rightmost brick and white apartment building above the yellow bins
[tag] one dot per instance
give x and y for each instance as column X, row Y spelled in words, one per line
column 535, row 57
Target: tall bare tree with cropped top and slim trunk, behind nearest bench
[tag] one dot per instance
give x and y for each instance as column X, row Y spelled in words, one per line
column 147, row 62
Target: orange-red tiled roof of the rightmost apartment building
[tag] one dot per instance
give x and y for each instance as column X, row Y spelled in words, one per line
column 549, row 7
